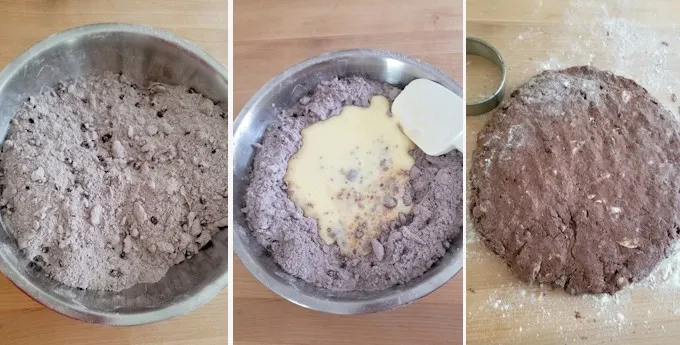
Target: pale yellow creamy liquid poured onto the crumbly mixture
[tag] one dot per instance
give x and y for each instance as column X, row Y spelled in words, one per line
column 350, row 174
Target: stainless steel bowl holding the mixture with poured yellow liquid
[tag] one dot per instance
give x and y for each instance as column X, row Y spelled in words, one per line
column 282, row 92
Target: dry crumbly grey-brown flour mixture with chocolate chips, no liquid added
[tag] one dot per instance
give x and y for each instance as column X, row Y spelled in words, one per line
column 107, row 184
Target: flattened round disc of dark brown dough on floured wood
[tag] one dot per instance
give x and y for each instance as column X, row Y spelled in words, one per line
column 575, row 181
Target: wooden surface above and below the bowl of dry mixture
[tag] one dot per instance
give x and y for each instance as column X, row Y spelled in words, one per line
column 24, row 23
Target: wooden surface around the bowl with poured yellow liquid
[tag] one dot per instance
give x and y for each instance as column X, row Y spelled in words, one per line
column 270, row 36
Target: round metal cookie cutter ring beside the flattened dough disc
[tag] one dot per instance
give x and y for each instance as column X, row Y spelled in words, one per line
column 476, row 46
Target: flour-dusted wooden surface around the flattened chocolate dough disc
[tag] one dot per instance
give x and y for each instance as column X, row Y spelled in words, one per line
column 637, row 39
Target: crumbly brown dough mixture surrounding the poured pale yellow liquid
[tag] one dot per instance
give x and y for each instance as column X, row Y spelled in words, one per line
column 405, row 249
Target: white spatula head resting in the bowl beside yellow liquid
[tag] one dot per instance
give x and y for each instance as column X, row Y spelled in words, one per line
column 432, row 116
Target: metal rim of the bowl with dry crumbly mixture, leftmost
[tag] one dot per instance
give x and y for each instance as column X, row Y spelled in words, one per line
column 75, row 310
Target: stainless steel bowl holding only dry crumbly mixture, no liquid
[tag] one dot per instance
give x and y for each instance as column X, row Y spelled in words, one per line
column 144, row 55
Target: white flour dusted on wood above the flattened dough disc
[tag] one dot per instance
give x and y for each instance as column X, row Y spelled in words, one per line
column 608, row 39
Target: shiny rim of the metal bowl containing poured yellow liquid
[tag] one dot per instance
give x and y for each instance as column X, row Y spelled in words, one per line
column 298, row 297
